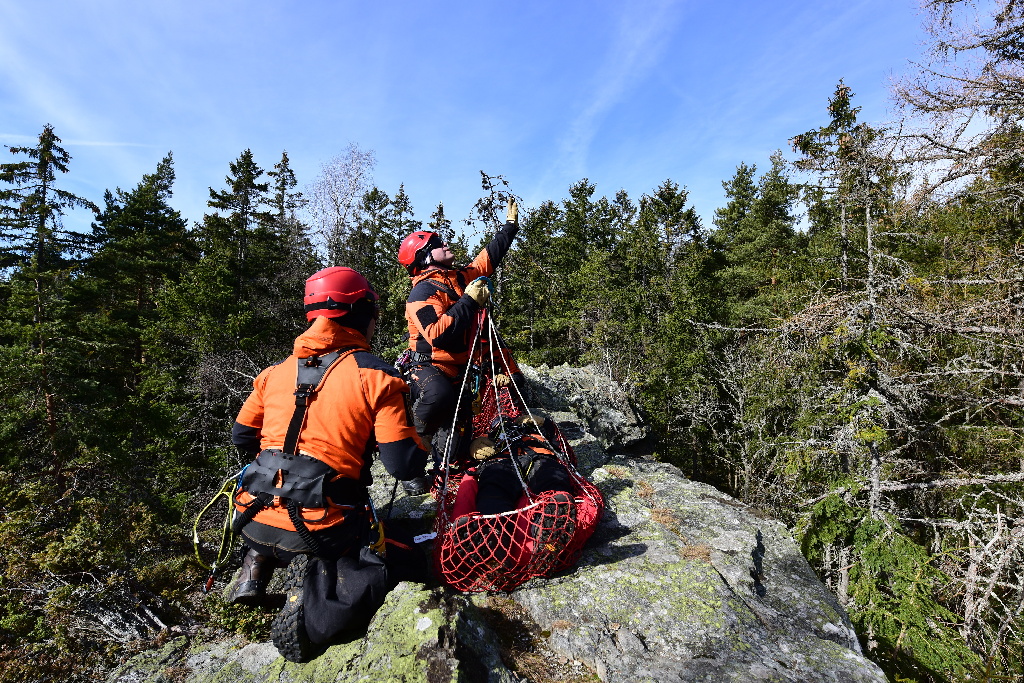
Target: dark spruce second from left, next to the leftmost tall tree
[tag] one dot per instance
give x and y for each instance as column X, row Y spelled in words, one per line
column 141, row 246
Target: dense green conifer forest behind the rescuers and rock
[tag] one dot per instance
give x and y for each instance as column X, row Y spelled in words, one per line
column 841, row 349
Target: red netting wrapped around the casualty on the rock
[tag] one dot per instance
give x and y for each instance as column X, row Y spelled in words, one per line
column 477, row 552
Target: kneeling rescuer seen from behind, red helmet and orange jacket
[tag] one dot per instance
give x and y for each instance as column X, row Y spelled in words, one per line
column 313, row 423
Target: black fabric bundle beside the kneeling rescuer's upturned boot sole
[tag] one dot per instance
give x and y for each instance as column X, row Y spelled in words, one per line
column 344, row 595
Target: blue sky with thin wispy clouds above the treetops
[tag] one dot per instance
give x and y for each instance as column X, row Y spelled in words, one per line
column 625, row 94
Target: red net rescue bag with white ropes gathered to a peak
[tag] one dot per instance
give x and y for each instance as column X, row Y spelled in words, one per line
column 546, row 532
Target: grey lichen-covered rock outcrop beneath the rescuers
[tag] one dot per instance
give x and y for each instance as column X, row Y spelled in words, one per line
column 680, row 583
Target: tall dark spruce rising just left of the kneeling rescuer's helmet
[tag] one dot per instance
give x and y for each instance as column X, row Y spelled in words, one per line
column 233, row 313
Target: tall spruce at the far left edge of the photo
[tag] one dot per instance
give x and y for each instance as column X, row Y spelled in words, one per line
column 39, row 345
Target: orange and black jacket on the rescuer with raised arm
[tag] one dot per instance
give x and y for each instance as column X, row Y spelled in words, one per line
column 441, row 317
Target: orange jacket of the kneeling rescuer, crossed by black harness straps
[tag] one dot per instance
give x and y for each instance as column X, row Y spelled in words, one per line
column 361, row 405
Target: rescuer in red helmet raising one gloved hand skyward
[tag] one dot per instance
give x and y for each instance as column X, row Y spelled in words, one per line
column 442, row 314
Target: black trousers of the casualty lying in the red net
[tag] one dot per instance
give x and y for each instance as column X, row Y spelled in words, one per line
column 499, row 487
